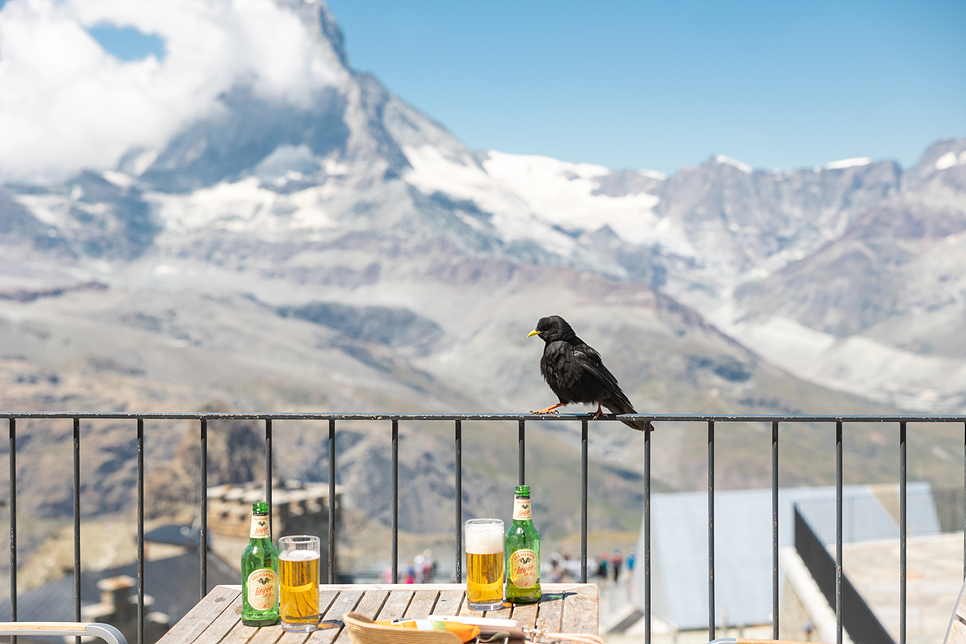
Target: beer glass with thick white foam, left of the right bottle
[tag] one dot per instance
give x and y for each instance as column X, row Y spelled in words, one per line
column 484, row 564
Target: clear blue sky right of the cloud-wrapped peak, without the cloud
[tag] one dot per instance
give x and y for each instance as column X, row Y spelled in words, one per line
column 659, row 85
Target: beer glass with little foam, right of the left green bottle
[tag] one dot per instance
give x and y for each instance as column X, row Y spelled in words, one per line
column 298, row 559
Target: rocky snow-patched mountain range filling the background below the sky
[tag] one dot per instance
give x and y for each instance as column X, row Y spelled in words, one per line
column 343, row 252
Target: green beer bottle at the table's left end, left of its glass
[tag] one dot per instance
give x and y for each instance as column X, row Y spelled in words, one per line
column 260, row 572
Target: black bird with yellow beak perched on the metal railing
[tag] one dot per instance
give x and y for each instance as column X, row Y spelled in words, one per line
column 575, row 372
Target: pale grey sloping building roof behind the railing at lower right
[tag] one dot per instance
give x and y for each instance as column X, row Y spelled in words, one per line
column 743, row 545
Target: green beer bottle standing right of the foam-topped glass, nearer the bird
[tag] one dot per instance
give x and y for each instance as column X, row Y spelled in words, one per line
column 522, row 552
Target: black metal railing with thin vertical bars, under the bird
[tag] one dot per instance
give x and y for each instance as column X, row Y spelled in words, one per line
column 456, row 419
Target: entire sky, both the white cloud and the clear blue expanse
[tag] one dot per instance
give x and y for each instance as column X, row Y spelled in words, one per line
column 642, row 85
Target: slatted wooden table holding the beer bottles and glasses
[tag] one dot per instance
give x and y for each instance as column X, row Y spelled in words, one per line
column 568, row 608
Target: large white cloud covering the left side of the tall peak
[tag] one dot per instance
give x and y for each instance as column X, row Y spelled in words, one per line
column 66, row 104
